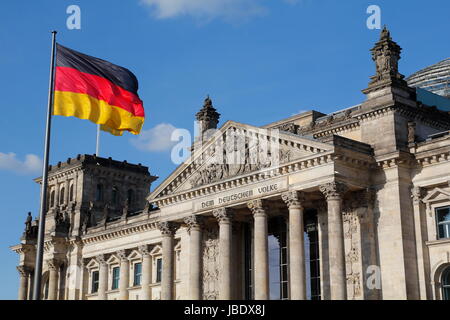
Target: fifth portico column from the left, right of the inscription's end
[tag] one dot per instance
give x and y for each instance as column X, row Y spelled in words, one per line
column 297, row 273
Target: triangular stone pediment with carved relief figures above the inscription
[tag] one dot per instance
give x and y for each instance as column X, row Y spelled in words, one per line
column 237, row 150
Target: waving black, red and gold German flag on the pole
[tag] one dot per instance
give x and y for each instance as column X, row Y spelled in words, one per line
column 104, row 93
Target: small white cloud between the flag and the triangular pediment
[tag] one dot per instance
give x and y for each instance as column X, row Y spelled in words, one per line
column 155, row 139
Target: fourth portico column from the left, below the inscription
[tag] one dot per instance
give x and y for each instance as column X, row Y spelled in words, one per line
column 261, row 247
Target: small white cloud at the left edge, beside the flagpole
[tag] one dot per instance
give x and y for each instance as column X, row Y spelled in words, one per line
column 31, row 165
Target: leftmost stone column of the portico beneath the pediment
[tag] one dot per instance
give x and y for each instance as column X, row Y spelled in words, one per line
column 167, row 286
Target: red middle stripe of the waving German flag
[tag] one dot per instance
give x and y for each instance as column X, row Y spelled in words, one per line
column 72, row 80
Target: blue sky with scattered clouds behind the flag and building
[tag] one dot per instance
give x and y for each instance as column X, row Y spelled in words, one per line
column 260, row 60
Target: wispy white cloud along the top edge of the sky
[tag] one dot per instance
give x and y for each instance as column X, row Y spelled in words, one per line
column 207, row 9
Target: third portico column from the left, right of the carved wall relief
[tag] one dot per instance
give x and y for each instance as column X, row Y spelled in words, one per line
column 224, row 217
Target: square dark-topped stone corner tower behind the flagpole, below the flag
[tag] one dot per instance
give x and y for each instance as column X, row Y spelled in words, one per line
column 89, row 191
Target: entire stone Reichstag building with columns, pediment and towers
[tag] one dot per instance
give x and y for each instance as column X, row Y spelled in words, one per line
column 341, row 206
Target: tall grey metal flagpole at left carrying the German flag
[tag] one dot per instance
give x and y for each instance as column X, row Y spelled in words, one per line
column 41, row 230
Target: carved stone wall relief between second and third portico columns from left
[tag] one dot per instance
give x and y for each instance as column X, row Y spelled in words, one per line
column 210, row 264
